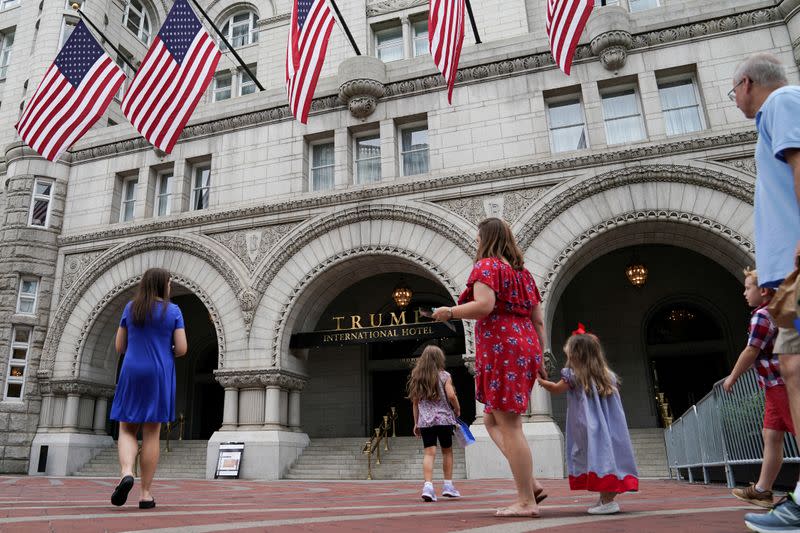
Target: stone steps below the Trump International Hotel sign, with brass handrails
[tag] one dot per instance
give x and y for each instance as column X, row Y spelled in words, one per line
column 341, row 458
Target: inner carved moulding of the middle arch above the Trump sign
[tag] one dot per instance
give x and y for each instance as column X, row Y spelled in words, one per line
column 321, row 268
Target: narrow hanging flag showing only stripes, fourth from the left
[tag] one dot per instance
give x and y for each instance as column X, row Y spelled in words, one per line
column 445, row 36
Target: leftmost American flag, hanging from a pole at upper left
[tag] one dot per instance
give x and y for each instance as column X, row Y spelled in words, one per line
column 72, row 96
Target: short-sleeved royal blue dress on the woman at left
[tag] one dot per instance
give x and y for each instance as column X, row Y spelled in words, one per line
column 146, row 387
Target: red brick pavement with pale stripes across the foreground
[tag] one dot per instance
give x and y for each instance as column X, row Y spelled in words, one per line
column 60, row 505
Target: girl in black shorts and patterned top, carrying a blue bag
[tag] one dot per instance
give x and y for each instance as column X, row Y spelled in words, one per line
column 432, row 393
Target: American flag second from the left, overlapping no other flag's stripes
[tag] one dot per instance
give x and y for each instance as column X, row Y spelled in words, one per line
column 174, row 74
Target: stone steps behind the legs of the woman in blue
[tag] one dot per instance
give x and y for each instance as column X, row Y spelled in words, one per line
column 186, row 459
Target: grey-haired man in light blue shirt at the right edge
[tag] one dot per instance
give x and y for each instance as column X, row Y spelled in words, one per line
column 761, row 91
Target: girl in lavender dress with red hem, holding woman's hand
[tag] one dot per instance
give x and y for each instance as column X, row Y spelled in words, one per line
column 599, row 450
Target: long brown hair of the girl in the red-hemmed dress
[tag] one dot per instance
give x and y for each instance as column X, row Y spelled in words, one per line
column 586, row 359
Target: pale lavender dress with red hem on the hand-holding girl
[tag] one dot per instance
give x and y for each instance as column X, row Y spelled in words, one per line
column 599, row 450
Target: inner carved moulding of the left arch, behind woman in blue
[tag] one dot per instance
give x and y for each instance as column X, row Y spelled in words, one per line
column 88, row 338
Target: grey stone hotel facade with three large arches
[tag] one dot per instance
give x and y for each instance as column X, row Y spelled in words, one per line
column 272, row 228
